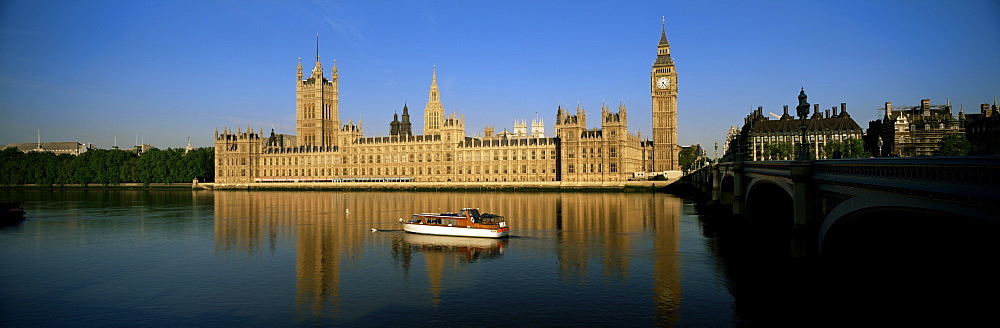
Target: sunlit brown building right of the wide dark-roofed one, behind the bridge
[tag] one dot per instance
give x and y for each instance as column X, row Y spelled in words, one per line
column 912, row 131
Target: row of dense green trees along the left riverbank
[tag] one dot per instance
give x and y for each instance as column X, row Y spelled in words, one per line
column 106, row 167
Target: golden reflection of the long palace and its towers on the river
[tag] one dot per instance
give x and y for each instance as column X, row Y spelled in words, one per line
column 620, row 238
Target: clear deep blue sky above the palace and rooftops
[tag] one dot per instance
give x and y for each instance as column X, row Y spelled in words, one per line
column 163, row 71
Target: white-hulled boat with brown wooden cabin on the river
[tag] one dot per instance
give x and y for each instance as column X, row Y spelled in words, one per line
column 467, row 223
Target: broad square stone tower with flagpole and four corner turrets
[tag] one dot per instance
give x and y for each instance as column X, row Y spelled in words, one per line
column 316, row 106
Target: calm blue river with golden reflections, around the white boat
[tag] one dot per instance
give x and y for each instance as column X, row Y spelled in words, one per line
column 286, row 258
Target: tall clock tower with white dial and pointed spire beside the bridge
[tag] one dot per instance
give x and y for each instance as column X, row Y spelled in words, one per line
column 663, row 85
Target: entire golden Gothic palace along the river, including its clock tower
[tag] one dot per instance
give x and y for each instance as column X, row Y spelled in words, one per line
column 325, row 149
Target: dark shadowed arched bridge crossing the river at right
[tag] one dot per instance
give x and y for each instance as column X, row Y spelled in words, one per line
column 846, row 207
